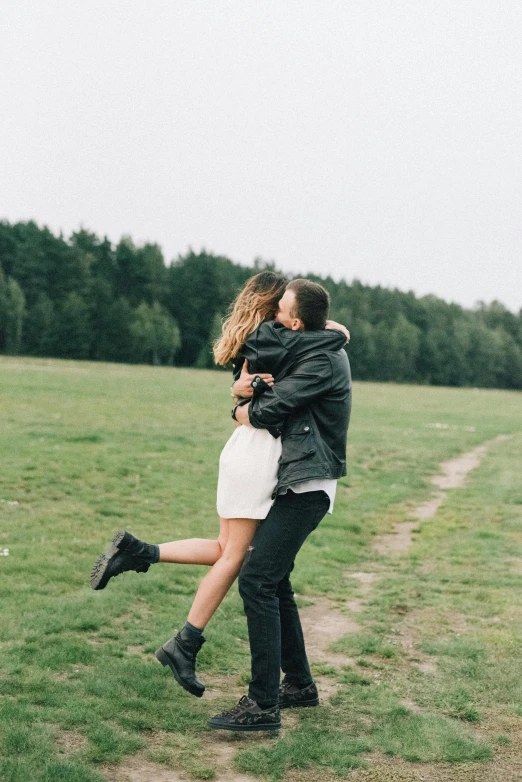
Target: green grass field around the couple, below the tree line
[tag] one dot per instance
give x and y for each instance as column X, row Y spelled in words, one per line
column 435, row 682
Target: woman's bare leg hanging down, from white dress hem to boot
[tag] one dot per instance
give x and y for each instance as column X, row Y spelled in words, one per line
column 222, row 575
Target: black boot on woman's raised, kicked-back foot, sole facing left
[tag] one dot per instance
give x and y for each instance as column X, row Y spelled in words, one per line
column 126, row 552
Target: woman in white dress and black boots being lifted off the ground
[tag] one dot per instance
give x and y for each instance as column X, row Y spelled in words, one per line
column 247, row 478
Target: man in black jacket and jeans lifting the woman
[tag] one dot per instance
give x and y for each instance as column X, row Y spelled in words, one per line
column 311, row 408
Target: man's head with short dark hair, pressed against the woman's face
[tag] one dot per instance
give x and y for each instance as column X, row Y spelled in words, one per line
column 304, row 306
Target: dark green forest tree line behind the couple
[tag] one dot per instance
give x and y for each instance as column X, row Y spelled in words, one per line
column 86, row 298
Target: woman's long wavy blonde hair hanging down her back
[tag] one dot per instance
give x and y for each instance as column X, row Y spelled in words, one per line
column 255, row 304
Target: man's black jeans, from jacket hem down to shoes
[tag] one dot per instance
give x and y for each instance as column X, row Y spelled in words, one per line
column 274, row 627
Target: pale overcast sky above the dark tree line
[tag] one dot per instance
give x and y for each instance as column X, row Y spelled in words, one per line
column 377, row 139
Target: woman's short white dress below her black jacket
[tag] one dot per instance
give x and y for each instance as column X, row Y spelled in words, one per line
column 248, row 474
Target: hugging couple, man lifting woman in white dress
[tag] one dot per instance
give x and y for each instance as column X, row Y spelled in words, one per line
column 277, row 481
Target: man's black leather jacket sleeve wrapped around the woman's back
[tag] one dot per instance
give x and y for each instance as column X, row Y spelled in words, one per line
column 307, row 382
